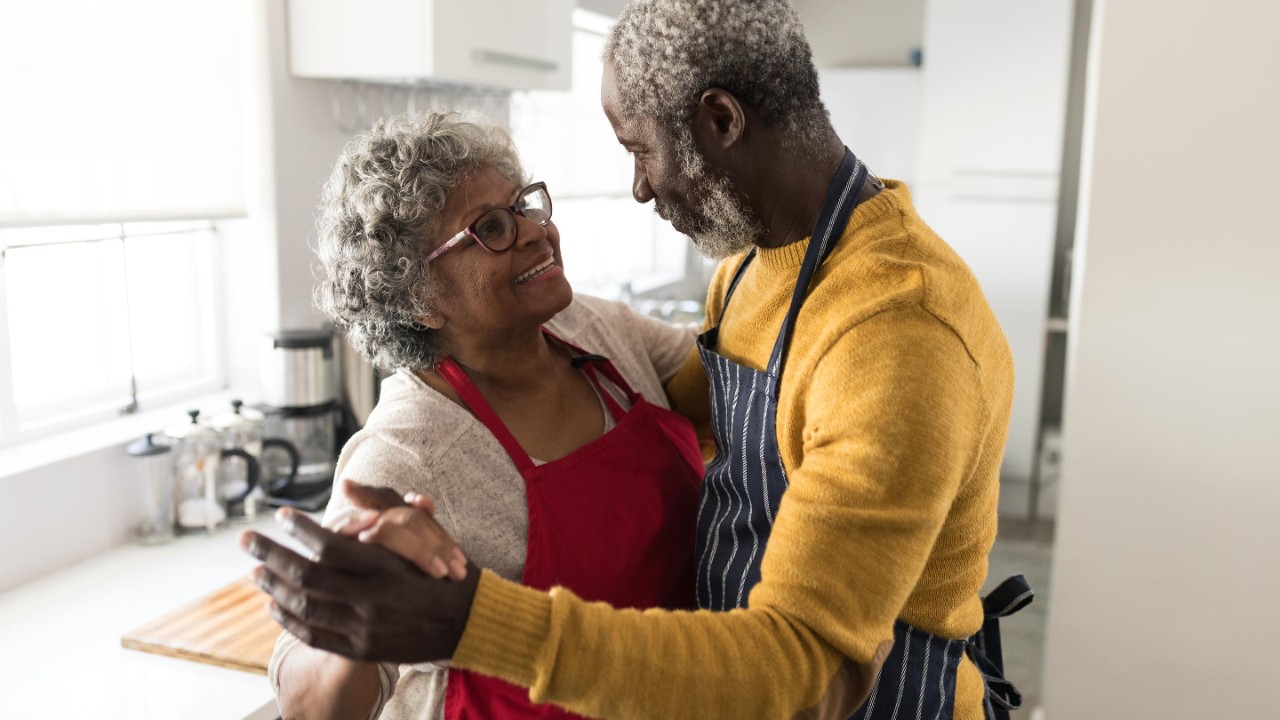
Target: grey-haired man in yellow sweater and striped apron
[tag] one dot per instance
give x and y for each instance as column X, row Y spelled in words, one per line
column 856, row 388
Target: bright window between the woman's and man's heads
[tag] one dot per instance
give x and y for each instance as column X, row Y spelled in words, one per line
column 612, row 245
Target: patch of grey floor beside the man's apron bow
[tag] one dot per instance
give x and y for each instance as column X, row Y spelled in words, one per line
column 1025, row 548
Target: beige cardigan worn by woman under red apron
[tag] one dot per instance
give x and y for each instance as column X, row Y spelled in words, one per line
column 417, row 440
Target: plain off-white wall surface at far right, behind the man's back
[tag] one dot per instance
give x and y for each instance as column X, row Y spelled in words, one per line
column 1168, row 557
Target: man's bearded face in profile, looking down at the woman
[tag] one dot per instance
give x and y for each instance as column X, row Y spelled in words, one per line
column 689, row 194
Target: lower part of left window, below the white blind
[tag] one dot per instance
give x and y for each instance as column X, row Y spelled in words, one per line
column 99, row 320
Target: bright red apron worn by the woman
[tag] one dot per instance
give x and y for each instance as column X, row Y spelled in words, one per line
column 612, row 522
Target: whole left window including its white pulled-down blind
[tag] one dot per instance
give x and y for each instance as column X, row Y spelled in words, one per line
column 120, row 151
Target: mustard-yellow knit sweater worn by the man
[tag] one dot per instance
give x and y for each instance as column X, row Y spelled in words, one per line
column 893, row 418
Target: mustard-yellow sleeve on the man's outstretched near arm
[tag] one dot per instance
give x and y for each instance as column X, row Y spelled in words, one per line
column 889, row 434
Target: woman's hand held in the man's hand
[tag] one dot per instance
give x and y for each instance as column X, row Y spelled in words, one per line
column 406, row 527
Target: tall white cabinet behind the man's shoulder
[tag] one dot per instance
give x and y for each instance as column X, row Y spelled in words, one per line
column 994, row 90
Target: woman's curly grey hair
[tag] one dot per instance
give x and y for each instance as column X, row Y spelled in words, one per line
column 380, row 212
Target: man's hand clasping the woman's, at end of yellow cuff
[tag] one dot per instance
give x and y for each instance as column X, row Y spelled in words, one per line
column 359, row 600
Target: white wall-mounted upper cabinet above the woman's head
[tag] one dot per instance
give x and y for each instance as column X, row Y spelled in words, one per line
column 506, row 44
